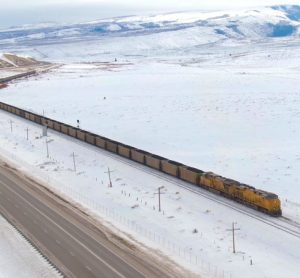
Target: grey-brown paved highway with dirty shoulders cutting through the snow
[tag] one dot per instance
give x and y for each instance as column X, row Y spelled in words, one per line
column 74, row 242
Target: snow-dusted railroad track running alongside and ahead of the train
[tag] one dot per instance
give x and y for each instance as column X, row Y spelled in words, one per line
column 281, row 223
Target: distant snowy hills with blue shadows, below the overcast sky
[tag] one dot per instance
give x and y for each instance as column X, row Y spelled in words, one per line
column 166, row 35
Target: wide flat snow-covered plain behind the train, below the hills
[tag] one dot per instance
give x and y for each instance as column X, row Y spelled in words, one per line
column 239, row 122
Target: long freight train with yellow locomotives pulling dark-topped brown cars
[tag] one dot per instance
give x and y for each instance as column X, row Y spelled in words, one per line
column 258, row 199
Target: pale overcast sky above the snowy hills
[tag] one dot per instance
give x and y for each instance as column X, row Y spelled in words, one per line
column 17, row 12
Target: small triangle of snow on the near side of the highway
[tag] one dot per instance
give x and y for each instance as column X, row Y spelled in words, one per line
column 18, row 258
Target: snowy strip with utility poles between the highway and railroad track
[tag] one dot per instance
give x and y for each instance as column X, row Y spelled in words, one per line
column 190, row 229
